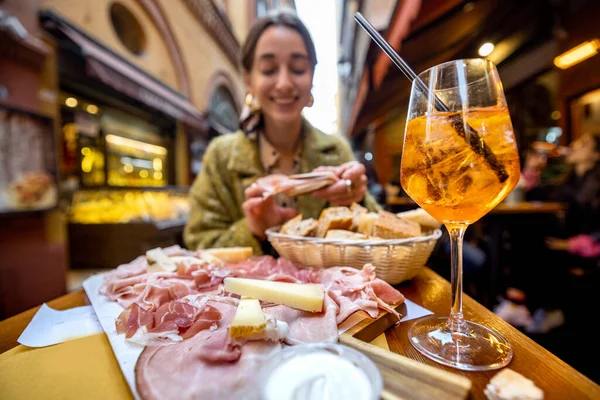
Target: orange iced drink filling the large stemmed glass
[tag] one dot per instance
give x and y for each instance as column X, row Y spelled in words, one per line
column 443, row 174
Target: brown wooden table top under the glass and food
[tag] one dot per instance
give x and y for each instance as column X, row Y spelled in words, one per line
column 557, row 379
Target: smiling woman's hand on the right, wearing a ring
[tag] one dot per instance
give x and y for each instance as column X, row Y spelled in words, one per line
column 351, row 188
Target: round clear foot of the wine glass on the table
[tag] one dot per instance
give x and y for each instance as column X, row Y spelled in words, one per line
column 473, row 348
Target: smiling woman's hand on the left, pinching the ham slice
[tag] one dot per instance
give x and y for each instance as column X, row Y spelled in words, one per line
column 262, row 213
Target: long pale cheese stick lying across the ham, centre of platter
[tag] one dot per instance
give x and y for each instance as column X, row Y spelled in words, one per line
column 303, row 296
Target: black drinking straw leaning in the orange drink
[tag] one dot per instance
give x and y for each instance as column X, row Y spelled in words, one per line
column 473, row 138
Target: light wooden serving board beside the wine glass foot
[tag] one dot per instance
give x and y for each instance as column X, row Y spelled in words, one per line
column 403, row 378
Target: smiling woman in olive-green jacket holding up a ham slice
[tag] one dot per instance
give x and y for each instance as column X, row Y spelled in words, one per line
column 278, row 59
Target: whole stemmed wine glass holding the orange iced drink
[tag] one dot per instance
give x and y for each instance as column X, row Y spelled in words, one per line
column 459, row 161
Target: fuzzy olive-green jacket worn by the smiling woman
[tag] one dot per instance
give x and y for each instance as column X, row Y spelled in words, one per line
column 231, row 164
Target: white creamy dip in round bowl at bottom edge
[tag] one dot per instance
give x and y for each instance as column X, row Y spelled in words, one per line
column 317, row 375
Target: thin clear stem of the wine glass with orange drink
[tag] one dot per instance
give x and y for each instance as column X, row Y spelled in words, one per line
column 456, row 322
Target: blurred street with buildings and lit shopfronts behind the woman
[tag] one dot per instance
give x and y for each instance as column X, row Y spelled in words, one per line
column 107, row 106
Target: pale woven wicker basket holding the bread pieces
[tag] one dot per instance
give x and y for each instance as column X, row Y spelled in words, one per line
column 395, row 260
